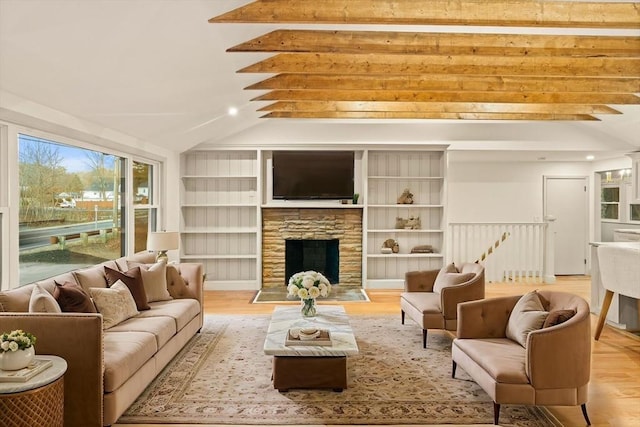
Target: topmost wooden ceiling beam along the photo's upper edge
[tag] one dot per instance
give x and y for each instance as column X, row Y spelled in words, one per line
column 520, row 13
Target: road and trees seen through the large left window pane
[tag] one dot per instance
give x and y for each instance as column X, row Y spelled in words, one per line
column 71, row 205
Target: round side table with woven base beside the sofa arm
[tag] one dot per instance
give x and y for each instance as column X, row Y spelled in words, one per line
column 36, row 402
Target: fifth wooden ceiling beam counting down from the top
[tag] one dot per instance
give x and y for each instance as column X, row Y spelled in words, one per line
column 455, row 96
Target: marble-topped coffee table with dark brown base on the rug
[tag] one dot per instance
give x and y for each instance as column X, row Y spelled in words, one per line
column 310, row 366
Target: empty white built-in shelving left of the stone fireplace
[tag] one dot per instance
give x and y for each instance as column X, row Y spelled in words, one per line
column 221, row 216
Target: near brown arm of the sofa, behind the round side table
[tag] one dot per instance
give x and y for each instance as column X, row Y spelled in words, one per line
column 77, row 338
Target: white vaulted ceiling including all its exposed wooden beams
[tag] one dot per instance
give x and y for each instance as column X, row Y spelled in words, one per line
column 478, row 74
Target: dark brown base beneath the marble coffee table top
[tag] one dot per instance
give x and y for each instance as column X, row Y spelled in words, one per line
column 309, row 372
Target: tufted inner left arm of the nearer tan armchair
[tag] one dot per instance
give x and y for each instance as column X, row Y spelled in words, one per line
column 485, row 318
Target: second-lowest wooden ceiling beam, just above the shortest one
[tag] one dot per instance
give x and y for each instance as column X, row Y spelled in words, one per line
column 438, row 107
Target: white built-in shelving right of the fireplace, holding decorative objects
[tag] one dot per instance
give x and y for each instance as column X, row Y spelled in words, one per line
column 389, row 173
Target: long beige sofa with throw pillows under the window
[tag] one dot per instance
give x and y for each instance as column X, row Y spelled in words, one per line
column 108, row 370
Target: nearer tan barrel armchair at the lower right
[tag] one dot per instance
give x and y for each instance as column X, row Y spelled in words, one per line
column 552, row 369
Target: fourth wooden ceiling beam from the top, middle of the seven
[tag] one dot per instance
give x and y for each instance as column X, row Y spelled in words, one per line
column 448, row 82
